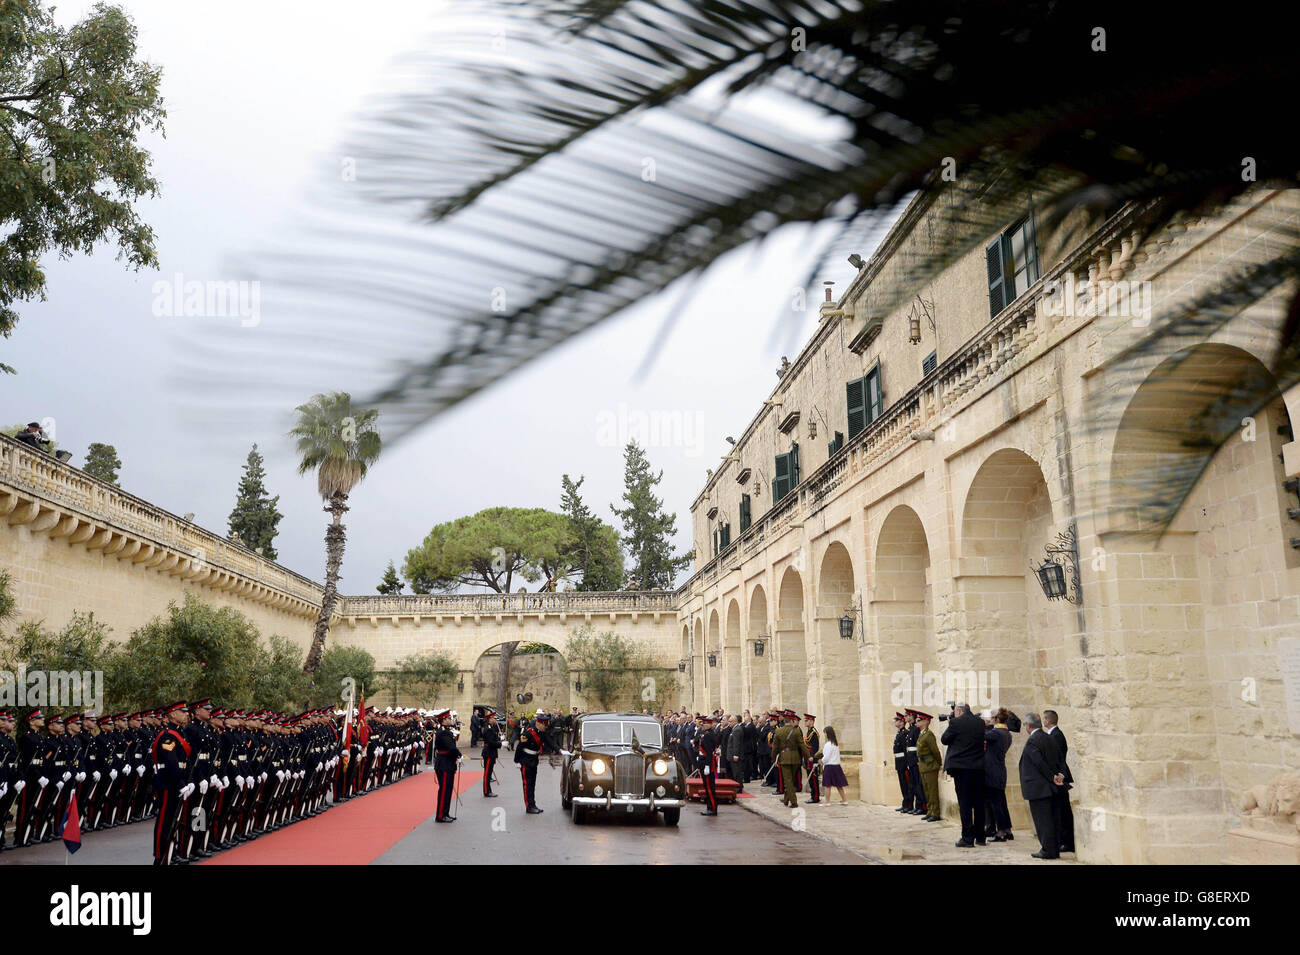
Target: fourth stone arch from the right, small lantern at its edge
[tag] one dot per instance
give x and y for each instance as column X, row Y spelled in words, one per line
column 835, row 661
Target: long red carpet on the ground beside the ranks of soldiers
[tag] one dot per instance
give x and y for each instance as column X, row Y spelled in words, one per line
column 354, row 834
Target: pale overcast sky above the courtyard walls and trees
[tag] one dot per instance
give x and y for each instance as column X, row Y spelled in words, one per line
column 257, row 94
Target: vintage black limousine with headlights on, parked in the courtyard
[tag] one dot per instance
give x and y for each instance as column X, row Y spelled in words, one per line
column 619, row 765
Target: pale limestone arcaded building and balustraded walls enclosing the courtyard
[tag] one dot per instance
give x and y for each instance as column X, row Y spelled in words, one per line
column 942, row 450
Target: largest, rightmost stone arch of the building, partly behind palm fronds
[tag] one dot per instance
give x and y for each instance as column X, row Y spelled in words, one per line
column 1203, row 581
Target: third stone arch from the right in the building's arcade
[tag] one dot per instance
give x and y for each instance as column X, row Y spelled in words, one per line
column 902, row 619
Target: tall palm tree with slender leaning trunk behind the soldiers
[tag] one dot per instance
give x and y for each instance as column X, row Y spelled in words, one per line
column 340, row 444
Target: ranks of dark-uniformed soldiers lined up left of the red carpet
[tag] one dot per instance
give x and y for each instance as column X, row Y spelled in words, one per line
column 210, row 778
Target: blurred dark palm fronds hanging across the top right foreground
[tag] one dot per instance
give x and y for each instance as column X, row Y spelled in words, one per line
column 614, row 147
